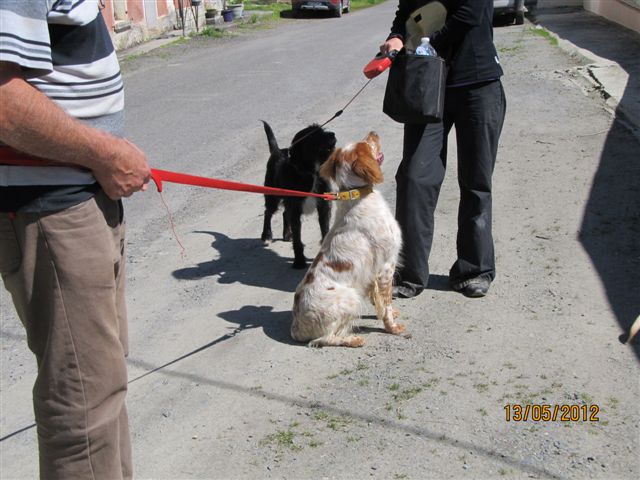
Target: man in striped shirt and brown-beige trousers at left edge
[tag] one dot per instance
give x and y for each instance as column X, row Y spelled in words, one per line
column 63, row 169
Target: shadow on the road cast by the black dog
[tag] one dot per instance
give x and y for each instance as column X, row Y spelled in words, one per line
column 246, row 261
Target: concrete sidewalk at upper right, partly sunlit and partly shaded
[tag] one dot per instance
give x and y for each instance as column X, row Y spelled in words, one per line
column 612, row 55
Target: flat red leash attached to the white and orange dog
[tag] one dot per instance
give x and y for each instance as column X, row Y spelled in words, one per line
column 9, row 156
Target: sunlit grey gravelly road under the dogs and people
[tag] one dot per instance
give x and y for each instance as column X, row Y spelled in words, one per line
column 218, row 389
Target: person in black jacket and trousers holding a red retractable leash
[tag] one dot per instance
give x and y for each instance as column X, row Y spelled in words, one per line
column 475, row 104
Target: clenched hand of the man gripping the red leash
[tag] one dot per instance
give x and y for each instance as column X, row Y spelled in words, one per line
column 123, row 171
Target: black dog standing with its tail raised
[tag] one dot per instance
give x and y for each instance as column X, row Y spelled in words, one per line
column 296, row 168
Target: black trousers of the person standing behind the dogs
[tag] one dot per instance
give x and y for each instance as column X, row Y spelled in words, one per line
column 477, row 111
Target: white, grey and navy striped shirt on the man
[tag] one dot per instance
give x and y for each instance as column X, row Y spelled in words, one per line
column 64, row 50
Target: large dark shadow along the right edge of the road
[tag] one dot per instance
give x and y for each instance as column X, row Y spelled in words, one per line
column 611, row 224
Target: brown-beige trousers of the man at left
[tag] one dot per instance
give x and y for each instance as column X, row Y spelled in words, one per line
column 65, row 272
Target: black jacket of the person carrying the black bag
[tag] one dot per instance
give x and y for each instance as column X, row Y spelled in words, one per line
column 465, row 40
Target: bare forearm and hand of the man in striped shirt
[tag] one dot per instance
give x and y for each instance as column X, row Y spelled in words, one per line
column 33, row 124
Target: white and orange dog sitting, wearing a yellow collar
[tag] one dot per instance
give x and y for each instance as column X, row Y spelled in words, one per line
column 357, row 258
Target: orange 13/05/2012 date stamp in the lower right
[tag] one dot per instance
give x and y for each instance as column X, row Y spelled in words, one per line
column 551, row 413
